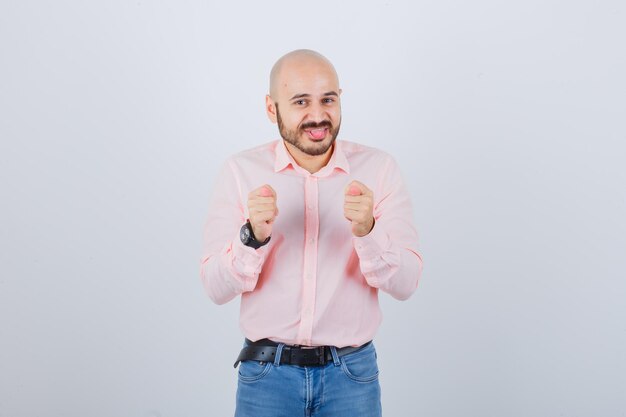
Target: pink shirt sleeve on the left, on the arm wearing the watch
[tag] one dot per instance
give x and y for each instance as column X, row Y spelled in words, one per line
column 228, row 267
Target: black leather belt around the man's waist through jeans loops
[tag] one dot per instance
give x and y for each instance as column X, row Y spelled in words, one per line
column 264, row 350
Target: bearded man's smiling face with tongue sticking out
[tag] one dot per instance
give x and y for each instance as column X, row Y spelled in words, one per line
column 308, row 110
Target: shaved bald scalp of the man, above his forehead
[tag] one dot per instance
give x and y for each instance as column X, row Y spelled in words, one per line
column 299, row 61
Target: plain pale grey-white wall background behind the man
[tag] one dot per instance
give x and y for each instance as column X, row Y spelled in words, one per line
column 507, row 119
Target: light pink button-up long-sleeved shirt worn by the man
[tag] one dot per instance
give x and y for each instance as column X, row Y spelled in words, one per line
column 314, row 283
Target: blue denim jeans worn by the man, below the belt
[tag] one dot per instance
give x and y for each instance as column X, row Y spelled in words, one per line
column 346, row 387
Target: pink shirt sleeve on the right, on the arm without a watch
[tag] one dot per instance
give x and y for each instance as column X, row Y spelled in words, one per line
column 388, row 255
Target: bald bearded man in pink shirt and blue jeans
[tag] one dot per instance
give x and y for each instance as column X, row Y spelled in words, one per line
column 307, row 230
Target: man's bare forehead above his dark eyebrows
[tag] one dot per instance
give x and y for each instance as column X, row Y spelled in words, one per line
column 307, row 77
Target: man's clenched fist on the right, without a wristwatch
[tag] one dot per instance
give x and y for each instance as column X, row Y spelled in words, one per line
column 358, row 207
